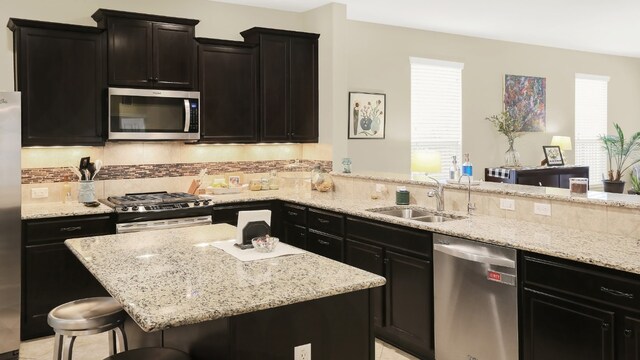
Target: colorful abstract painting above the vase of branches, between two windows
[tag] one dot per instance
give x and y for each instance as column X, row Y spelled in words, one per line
column 525, row 98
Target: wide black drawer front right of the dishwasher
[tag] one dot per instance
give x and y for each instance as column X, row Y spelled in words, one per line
column 583, row 281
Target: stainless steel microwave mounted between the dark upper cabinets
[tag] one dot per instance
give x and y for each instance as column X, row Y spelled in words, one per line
column 142, row 114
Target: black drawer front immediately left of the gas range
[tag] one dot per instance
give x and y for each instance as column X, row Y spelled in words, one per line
column 57, row 230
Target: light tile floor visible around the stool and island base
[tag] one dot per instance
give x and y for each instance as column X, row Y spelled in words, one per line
column 95, row 348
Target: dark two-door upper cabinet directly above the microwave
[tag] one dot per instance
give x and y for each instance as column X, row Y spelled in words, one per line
column 149, row 50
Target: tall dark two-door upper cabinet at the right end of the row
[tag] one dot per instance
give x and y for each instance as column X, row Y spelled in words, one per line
column 288, row 84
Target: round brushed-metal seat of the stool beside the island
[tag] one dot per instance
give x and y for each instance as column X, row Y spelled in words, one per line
column 90, row 313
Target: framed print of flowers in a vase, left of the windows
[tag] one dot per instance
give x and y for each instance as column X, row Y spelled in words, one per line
column 367, row 113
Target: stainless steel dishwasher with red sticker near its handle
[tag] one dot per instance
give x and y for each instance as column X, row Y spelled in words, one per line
column 476, row 300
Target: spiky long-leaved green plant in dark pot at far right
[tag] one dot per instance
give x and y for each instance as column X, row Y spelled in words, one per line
column 620, row 154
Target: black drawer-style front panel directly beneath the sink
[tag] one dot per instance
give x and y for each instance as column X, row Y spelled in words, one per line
column 413, row 241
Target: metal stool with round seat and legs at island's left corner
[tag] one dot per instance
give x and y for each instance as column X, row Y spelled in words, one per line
column 87, row 317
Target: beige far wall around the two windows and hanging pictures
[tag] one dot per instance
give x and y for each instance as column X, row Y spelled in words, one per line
column 379, row 62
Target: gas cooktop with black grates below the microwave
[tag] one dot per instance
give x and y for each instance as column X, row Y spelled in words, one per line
column 157, row 205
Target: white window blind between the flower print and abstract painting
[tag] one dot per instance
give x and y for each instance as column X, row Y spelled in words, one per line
column 436, row 109
